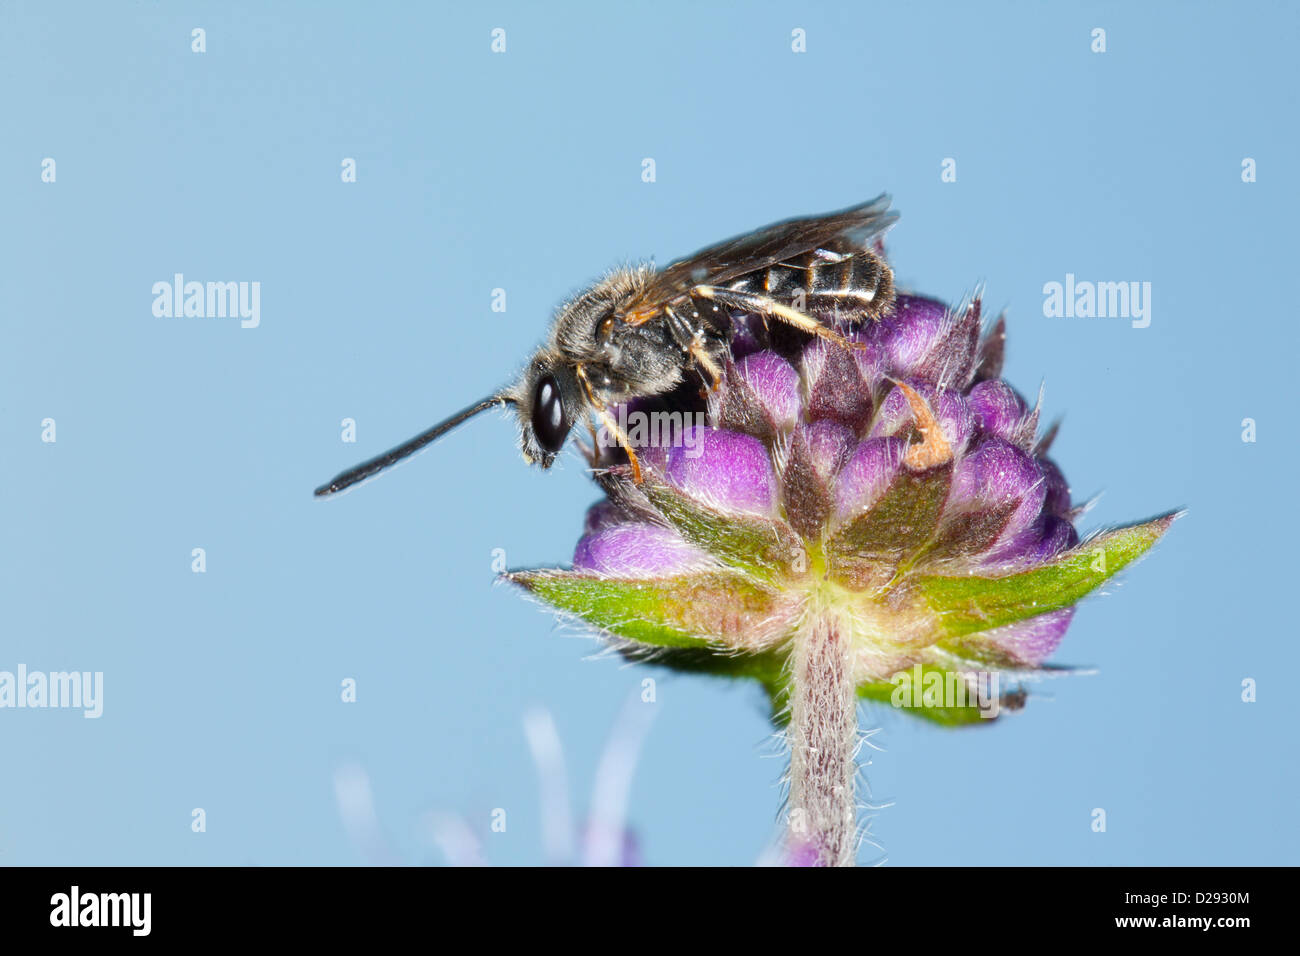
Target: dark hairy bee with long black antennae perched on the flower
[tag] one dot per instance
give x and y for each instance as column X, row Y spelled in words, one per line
column 640, row 332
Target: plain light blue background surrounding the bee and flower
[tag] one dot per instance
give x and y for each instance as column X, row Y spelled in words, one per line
column 523, row 171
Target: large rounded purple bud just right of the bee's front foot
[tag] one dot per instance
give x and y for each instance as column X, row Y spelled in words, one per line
column 727, row 470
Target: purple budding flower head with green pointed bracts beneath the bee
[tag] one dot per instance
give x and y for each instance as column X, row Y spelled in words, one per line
column 900, row 487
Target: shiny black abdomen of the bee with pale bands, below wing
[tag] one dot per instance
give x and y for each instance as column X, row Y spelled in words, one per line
column 827, row 282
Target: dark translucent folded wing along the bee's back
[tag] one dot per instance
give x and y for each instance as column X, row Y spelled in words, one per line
column 848, row 230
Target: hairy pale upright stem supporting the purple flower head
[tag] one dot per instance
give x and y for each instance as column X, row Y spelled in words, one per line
column 824, row 736
